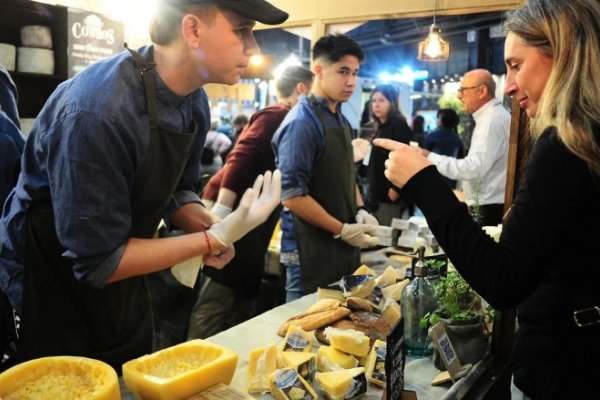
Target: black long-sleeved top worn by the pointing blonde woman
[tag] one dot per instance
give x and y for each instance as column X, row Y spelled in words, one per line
column 546, row 265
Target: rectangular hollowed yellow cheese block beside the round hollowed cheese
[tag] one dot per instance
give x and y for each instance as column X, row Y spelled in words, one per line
column 180, row 371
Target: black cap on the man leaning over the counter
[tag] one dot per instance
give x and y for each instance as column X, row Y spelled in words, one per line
column 256, row 10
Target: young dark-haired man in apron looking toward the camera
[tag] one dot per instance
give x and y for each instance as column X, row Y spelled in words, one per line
column 314, row 154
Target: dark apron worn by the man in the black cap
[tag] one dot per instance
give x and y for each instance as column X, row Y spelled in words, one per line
column 62, row 316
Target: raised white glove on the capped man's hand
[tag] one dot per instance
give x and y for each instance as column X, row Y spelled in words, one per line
column 254, row 209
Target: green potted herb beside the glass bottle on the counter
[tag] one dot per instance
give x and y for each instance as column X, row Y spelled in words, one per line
column 460, row 312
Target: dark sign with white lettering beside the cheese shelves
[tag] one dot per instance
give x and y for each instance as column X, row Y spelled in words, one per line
column 91, row 37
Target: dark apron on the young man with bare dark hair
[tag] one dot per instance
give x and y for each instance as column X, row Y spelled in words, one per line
column 323, row 259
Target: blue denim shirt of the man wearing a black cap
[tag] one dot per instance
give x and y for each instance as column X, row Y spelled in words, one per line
column 83, row 152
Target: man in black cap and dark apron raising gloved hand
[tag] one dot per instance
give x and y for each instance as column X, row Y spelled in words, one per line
column 115, row 150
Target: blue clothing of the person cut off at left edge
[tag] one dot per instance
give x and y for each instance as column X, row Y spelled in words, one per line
column 11, row 139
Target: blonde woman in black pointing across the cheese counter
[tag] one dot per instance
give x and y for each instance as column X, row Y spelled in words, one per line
column 544, row 264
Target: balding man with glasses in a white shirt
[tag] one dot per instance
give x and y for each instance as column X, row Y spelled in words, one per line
column 483, row 170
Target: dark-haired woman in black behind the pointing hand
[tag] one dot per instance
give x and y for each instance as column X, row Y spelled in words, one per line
column 389, row 124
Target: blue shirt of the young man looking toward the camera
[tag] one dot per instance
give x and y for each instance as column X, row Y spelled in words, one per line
column 297, row 143
